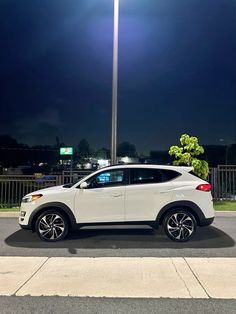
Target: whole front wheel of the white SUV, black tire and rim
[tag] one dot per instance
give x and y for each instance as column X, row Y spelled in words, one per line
column 51, row 226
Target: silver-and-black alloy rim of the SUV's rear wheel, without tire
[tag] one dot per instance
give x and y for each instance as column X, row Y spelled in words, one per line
column 180, row 226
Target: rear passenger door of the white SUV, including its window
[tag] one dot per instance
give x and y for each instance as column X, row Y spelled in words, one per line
column 146, row 194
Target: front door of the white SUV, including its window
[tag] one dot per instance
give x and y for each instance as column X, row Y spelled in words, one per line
column 103, row 199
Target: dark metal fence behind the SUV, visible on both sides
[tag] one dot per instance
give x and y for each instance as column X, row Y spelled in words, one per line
column 14, row 187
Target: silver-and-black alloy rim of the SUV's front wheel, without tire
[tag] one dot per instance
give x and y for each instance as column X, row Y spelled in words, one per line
column 51, row 226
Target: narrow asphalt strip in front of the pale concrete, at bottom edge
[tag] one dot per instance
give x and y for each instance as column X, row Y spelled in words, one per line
column 110, row 305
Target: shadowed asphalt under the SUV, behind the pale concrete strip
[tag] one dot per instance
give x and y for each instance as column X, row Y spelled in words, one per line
column 217, row 240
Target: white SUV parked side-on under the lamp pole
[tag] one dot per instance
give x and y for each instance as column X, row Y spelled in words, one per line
column 124, row 194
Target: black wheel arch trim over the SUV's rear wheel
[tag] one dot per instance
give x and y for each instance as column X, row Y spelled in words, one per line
column 193, row 208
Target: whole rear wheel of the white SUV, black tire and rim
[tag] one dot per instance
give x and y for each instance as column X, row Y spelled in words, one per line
column 180, row 225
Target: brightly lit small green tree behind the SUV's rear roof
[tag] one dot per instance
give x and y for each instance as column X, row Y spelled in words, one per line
column 186, row 155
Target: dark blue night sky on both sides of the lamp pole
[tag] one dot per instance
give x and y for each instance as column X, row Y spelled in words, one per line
column 177, row 71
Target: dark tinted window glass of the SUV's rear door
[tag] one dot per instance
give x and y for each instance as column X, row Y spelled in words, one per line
column 145, row 176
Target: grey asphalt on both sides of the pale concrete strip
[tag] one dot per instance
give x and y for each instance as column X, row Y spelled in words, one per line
column 216, row 240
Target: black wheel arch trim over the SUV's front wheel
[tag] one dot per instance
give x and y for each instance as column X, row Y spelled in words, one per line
column 60, row 207
